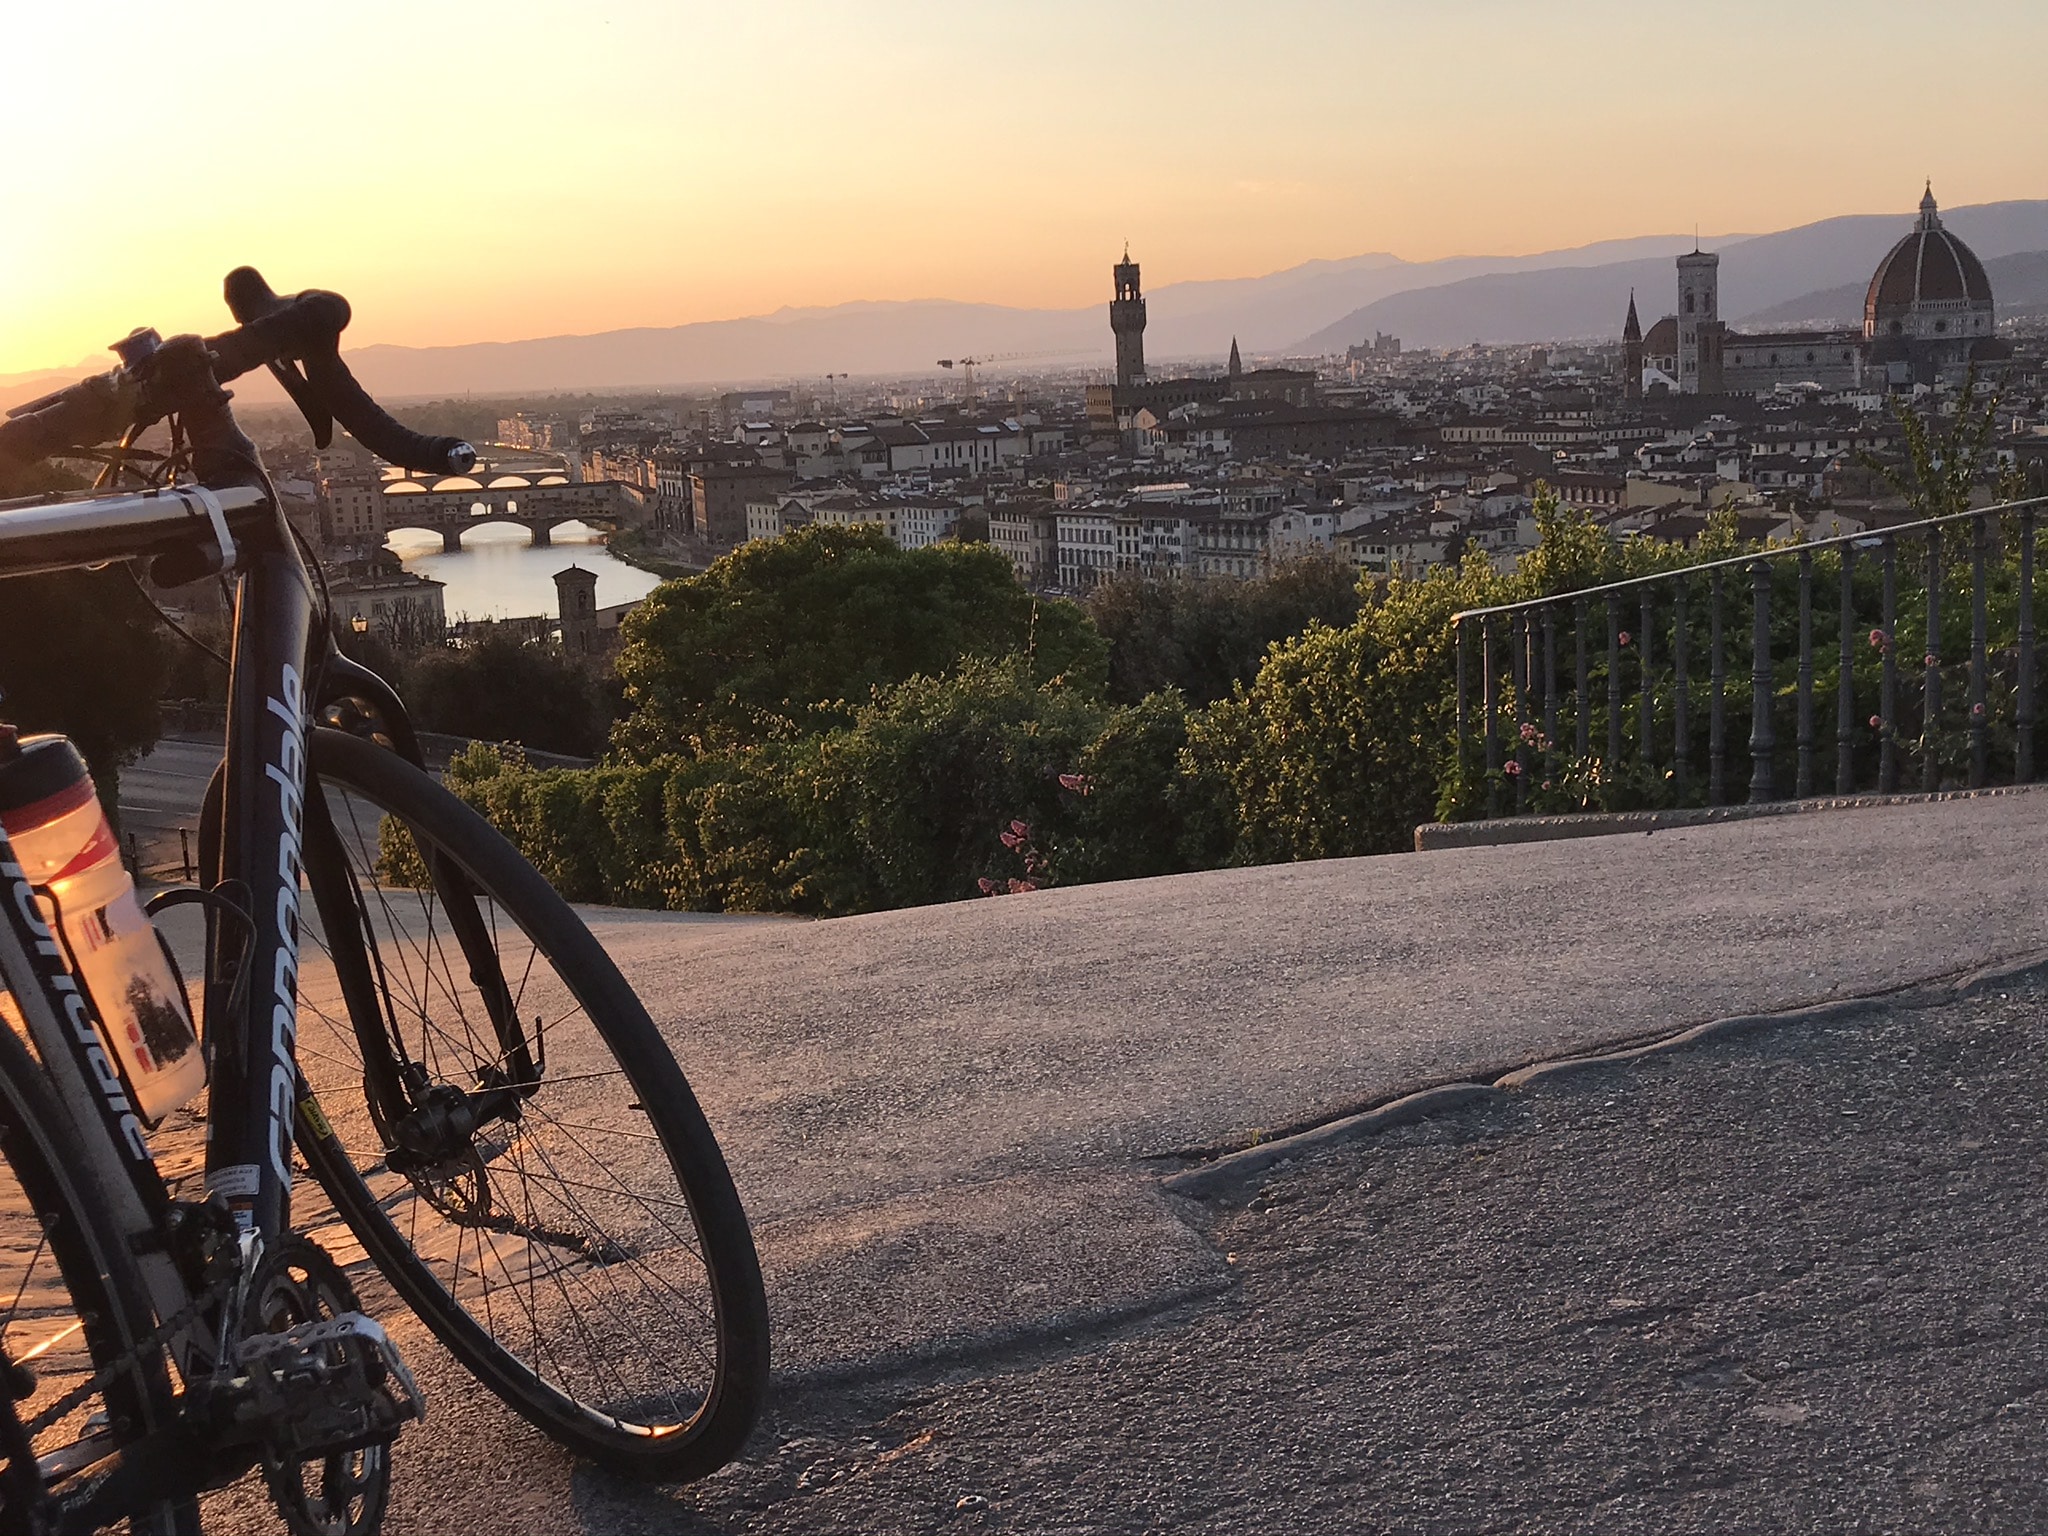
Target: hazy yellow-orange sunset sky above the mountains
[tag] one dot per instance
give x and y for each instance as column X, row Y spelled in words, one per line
column 503, row 171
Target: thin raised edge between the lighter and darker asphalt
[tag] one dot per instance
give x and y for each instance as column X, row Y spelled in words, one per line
column 1422, row 1105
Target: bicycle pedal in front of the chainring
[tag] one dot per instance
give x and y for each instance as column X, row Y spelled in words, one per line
column 327, row 1388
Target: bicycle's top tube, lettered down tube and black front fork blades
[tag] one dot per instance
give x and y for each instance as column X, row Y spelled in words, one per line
column 263, row 808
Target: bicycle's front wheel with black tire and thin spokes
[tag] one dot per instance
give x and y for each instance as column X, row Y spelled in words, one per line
column 345, row 1146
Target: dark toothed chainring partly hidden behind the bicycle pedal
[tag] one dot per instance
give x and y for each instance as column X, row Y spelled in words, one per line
column 343, row 1494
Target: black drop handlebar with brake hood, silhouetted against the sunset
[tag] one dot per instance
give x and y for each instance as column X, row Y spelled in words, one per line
column 275, row 333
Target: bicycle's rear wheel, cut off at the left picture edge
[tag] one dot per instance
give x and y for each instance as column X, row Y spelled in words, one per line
column 108, row 1304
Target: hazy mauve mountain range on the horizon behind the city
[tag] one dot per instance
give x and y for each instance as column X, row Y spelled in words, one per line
column 1324, row 306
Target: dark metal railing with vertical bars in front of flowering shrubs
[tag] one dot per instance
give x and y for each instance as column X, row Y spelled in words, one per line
column 1635, row 652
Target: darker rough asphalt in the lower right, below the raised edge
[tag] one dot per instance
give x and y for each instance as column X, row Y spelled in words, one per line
column 1791, row 1283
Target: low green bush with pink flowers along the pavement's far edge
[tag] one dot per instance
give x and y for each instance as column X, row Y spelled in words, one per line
column 906, row 804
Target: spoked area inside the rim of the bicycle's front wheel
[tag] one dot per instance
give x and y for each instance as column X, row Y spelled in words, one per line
column 564, row 1234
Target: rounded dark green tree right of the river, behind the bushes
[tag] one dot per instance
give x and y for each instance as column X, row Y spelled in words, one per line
column 787, row 636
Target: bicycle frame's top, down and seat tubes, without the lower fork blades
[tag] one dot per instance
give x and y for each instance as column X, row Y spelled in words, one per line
column 253, row 845
